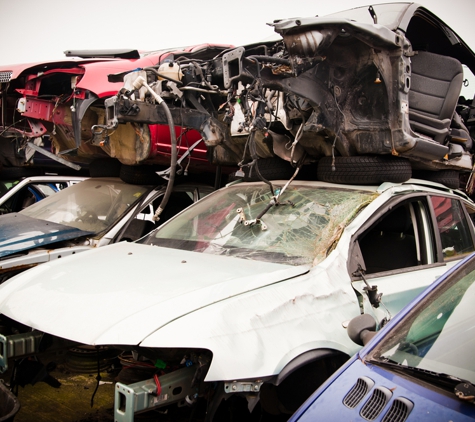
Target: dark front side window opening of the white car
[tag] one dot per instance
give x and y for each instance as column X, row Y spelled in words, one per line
column 401, row 238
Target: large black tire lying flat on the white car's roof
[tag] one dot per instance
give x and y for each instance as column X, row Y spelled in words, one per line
column 364, row 170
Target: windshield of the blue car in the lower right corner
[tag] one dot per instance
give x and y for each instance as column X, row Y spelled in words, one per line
column 438, row 335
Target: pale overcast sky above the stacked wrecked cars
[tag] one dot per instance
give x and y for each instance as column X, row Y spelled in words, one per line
column 33, row 30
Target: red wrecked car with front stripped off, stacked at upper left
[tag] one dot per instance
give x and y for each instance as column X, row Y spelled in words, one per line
column 63, row 99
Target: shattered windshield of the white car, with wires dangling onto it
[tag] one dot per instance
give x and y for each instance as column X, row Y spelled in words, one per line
column 301, row 229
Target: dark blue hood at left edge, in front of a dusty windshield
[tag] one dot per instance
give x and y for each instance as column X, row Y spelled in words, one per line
column 20, row 233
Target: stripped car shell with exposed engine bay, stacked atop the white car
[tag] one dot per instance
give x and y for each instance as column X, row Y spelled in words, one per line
column 340, row 89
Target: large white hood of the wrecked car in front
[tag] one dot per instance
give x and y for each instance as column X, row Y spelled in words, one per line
column 120, row 294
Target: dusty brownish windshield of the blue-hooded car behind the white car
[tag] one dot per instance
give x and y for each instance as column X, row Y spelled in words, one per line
column 92, row 205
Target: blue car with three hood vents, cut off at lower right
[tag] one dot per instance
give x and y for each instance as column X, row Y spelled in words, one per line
column 377, row 385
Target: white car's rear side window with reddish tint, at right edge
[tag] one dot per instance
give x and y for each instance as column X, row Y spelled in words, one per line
column 453, row 226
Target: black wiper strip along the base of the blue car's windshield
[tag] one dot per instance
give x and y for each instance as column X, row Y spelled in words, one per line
column 463, row 389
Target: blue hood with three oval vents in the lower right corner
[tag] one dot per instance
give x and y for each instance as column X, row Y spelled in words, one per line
column 363, row 392
